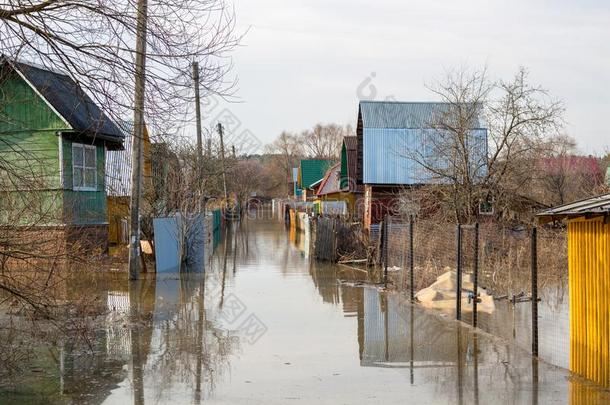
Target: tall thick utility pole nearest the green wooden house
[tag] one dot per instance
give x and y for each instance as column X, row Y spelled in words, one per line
column 138, row 135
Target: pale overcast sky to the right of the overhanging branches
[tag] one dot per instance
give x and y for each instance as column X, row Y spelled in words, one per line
column 309, row 61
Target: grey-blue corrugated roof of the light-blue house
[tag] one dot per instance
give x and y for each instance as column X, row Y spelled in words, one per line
column 405, row 115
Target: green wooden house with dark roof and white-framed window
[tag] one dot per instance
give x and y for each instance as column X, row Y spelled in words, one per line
column 53, row 143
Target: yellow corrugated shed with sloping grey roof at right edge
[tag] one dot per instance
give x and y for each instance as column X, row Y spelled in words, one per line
column 589, row 284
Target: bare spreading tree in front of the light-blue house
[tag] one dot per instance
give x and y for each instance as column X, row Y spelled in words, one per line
column 468, row 166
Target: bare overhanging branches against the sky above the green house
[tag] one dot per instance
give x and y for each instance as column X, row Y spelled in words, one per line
column 93, row 41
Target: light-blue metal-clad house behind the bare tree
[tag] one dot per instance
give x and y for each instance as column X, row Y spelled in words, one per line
column 389, row 134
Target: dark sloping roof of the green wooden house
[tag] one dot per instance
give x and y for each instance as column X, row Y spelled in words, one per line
column 70, row 101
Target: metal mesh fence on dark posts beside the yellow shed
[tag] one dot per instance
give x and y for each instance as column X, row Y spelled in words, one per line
column 501, row 257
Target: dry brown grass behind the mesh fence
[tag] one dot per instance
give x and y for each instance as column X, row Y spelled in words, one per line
column 504, row 255
